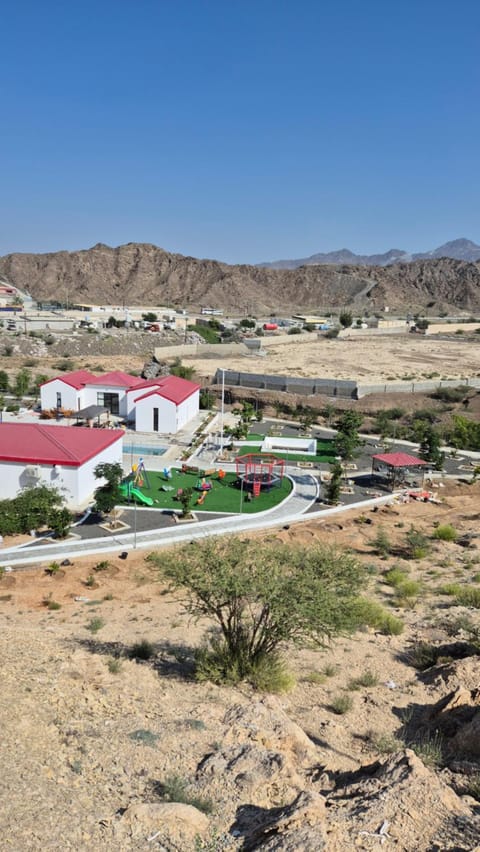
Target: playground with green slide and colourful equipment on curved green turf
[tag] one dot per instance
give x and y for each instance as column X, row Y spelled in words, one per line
column 213, row 490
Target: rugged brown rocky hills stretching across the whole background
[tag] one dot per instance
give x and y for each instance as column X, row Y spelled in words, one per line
column 141, row 273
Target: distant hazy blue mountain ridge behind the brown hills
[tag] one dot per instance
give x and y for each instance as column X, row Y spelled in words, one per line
column 460, row 249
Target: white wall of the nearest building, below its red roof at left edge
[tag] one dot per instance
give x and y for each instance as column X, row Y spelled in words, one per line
column 76, row 484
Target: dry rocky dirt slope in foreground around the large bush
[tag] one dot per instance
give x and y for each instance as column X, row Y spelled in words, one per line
column 89, row 735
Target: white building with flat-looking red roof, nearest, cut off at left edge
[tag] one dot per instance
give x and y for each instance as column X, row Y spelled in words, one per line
column 62, row 457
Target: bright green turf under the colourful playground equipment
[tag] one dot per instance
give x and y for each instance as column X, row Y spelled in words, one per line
column 223, row 497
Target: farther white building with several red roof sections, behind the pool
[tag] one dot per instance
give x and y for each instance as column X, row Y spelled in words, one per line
column 162, row 405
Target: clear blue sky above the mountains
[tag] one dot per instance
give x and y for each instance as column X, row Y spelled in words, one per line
column 245, row 130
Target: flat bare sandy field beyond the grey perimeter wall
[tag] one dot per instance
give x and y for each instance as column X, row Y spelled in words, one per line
column 370, row 359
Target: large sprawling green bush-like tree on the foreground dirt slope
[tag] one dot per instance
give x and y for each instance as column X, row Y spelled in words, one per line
column 261, row 597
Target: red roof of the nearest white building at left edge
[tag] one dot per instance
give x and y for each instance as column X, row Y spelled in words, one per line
column 33, row 443
